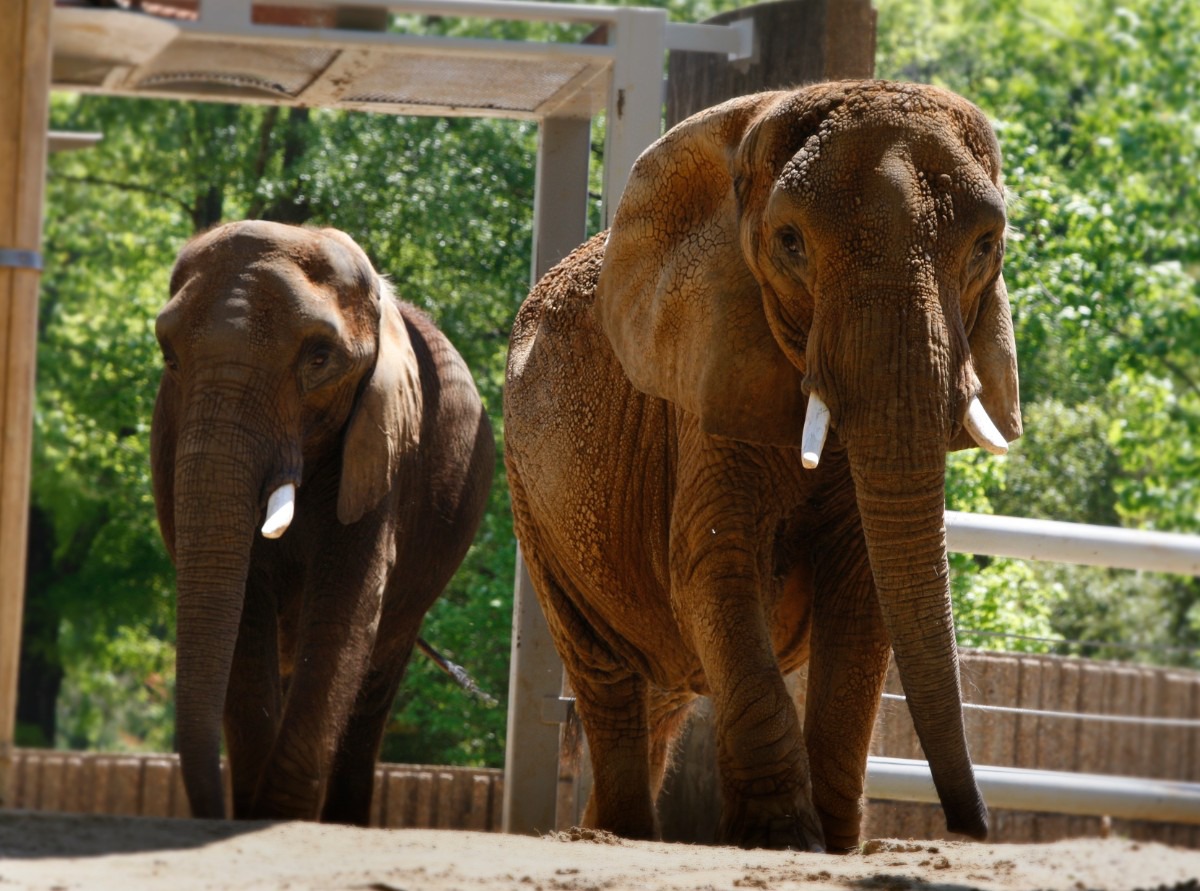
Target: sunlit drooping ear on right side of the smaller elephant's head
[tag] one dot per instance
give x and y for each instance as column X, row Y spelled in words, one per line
column 386, row 422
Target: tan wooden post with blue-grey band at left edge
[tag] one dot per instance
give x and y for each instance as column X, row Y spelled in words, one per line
column 25, row 107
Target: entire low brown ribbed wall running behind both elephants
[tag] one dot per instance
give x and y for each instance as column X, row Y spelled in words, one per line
column 471, row 799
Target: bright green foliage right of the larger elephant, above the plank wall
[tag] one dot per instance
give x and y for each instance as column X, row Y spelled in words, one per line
column 1096, row 106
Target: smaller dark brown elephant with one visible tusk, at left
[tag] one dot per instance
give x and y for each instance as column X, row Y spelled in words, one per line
column 321, row 464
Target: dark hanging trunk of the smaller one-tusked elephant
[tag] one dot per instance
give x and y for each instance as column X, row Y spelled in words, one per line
column 217, row 513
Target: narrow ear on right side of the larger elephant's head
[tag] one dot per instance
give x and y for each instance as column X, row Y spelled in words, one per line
column 994, row 357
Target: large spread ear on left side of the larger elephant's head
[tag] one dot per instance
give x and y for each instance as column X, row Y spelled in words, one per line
column 681, row 307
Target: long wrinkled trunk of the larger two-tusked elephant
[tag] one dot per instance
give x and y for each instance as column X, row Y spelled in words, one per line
column 896, row 414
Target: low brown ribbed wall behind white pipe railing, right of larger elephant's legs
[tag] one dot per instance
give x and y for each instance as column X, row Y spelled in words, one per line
column 1055, row 684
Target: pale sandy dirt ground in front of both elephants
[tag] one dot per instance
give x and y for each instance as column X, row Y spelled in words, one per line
column 62, row 853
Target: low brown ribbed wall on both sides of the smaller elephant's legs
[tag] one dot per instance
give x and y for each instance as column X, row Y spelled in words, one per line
column 152, row 786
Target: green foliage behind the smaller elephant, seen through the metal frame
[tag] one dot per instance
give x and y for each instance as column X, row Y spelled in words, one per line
column 443, row 207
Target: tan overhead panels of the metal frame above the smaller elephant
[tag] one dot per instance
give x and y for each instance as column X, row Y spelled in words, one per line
column 134, row 55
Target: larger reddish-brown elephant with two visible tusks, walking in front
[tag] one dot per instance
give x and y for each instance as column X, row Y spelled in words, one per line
column 727, row 428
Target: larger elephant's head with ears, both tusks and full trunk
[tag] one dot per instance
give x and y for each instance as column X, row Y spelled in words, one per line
column 832, row 258
